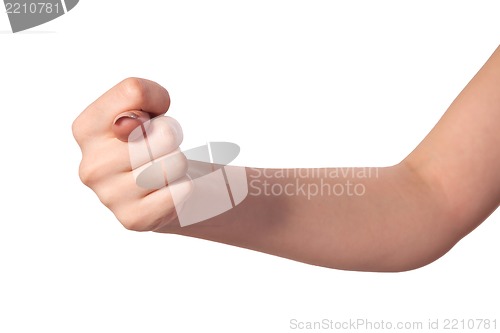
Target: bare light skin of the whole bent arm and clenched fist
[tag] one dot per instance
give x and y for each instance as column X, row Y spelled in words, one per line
column 409, row 215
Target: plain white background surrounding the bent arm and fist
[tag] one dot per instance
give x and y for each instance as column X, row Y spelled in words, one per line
column 294, row 83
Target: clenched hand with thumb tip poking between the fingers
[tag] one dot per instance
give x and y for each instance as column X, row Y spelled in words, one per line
column 102, row 132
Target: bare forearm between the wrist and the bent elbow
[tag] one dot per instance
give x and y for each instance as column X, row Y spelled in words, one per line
column 373, row 219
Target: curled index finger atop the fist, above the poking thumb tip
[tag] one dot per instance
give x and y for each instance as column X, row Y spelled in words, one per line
column 132, row 94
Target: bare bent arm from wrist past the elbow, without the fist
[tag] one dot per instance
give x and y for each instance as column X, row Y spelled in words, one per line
column 409, row 215
